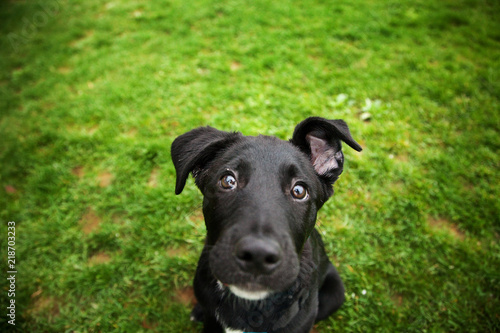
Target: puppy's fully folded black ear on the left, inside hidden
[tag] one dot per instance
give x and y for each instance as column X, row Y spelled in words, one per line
column 193, row 150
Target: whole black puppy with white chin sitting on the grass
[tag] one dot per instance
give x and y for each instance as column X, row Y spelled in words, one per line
column 263, row 267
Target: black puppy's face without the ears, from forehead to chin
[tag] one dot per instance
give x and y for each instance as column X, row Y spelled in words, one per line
column 260, row 190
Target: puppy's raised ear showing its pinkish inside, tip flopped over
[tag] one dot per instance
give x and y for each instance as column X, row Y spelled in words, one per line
column 321, row 140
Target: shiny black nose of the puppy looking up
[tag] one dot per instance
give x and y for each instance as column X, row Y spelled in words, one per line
column 258, row 256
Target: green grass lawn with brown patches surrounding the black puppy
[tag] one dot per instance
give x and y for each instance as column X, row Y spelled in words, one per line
column 92, row 94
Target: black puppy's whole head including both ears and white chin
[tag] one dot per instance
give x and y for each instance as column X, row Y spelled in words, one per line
column 261, row 197
